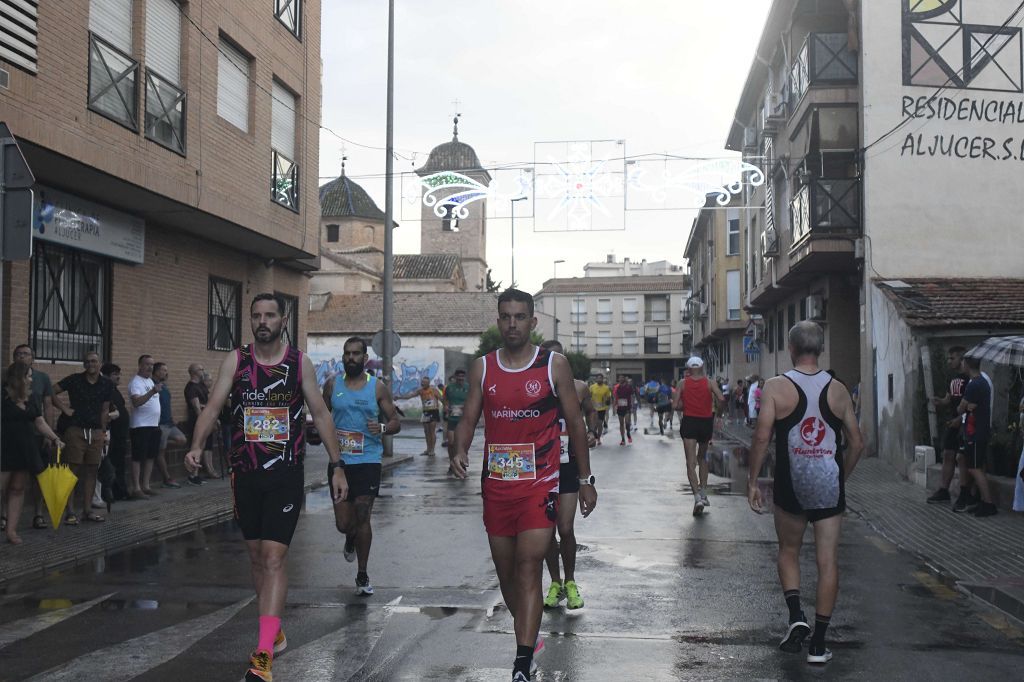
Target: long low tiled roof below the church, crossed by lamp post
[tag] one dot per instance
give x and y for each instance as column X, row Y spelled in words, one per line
column 459, row 313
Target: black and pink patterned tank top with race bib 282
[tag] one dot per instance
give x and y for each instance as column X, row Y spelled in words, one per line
column 268, row 423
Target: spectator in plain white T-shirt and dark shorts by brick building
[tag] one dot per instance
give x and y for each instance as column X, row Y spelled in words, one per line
column 145, row 432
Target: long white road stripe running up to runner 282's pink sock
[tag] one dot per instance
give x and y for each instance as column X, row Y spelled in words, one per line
column 133, row 658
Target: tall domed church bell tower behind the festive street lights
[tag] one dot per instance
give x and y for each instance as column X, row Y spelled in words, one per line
column 464, row 236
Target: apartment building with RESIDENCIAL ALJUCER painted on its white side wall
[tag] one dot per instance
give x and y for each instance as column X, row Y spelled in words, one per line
column 889, row 134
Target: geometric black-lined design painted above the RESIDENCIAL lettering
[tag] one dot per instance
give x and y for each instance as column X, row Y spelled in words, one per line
column 962, row 45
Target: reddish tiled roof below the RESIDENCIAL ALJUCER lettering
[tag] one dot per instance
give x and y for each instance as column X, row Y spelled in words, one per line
column 957, row 303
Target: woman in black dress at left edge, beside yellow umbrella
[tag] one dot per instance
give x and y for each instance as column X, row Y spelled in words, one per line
column 19, row 454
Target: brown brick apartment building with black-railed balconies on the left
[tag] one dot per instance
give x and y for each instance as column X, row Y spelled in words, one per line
column 175, row 148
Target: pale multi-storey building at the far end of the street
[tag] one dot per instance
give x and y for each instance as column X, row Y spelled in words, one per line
column 636, row 325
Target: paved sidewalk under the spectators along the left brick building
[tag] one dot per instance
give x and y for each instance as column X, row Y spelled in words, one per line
column 131, row 524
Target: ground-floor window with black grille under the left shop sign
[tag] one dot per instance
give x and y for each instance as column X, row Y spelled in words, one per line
column 70, row 304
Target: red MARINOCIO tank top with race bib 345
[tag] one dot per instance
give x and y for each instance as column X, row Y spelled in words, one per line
column 522, row 429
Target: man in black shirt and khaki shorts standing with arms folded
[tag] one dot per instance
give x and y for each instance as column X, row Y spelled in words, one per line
column 90, row 396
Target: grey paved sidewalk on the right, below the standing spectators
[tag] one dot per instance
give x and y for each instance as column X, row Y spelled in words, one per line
column 982, row 557
